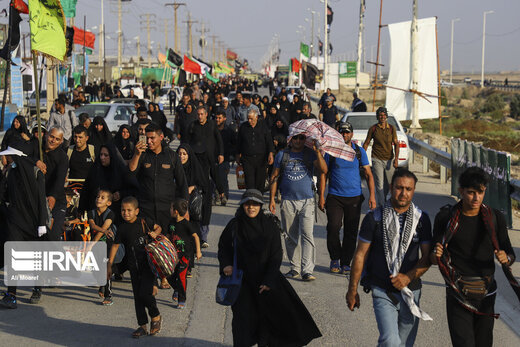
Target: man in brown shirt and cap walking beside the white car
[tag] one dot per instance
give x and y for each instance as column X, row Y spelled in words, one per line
column 384, row 159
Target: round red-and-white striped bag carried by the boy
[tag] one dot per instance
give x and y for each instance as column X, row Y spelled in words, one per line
column 162, row 255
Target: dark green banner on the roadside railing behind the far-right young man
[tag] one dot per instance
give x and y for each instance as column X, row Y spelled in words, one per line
column 466, row 154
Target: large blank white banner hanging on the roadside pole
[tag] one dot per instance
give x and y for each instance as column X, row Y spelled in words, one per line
column 399, row 102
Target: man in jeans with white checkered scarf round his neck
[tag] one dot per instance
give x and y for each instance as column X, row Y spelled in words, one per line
column 390, row 239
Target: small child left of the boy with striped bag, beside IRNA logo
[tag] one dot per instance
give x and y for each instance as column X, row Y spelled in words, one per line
column 101, row 223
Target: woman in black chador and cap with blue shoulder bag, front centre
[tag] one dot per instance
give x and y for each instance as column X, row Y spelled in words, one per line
column 268, row 312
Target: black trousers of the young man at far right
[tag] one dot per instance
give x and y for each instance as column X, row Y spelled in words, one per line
column 467, row 328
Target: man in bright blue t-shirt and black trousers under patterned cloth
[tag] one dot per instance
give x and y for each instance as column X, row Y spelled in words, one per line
column 344, row 200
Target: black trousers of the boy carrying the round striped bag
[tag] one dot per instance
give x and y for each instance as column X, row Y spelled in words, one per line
column 142, row 286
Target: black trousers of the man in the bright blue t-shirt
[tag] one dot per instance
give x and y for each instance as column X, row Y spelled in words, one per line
column 347, row 211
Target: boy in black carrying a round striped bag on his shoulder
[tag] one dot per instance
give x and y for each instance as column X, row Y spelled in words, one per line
column 132, row 234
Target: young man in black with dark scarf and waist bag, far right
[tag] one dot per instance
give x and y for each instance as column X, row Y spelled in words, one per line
column 468, row 236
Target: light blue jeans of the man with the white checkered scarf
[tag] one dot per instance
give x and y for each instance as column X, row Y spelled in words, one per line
column 397, row 325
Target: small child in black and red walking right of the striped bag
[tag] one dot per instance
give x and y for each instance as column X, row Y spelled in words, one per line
column 183, row 235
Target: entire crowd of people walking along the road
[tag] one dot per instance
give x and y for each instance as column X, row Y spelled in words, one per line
column 134, row 185
